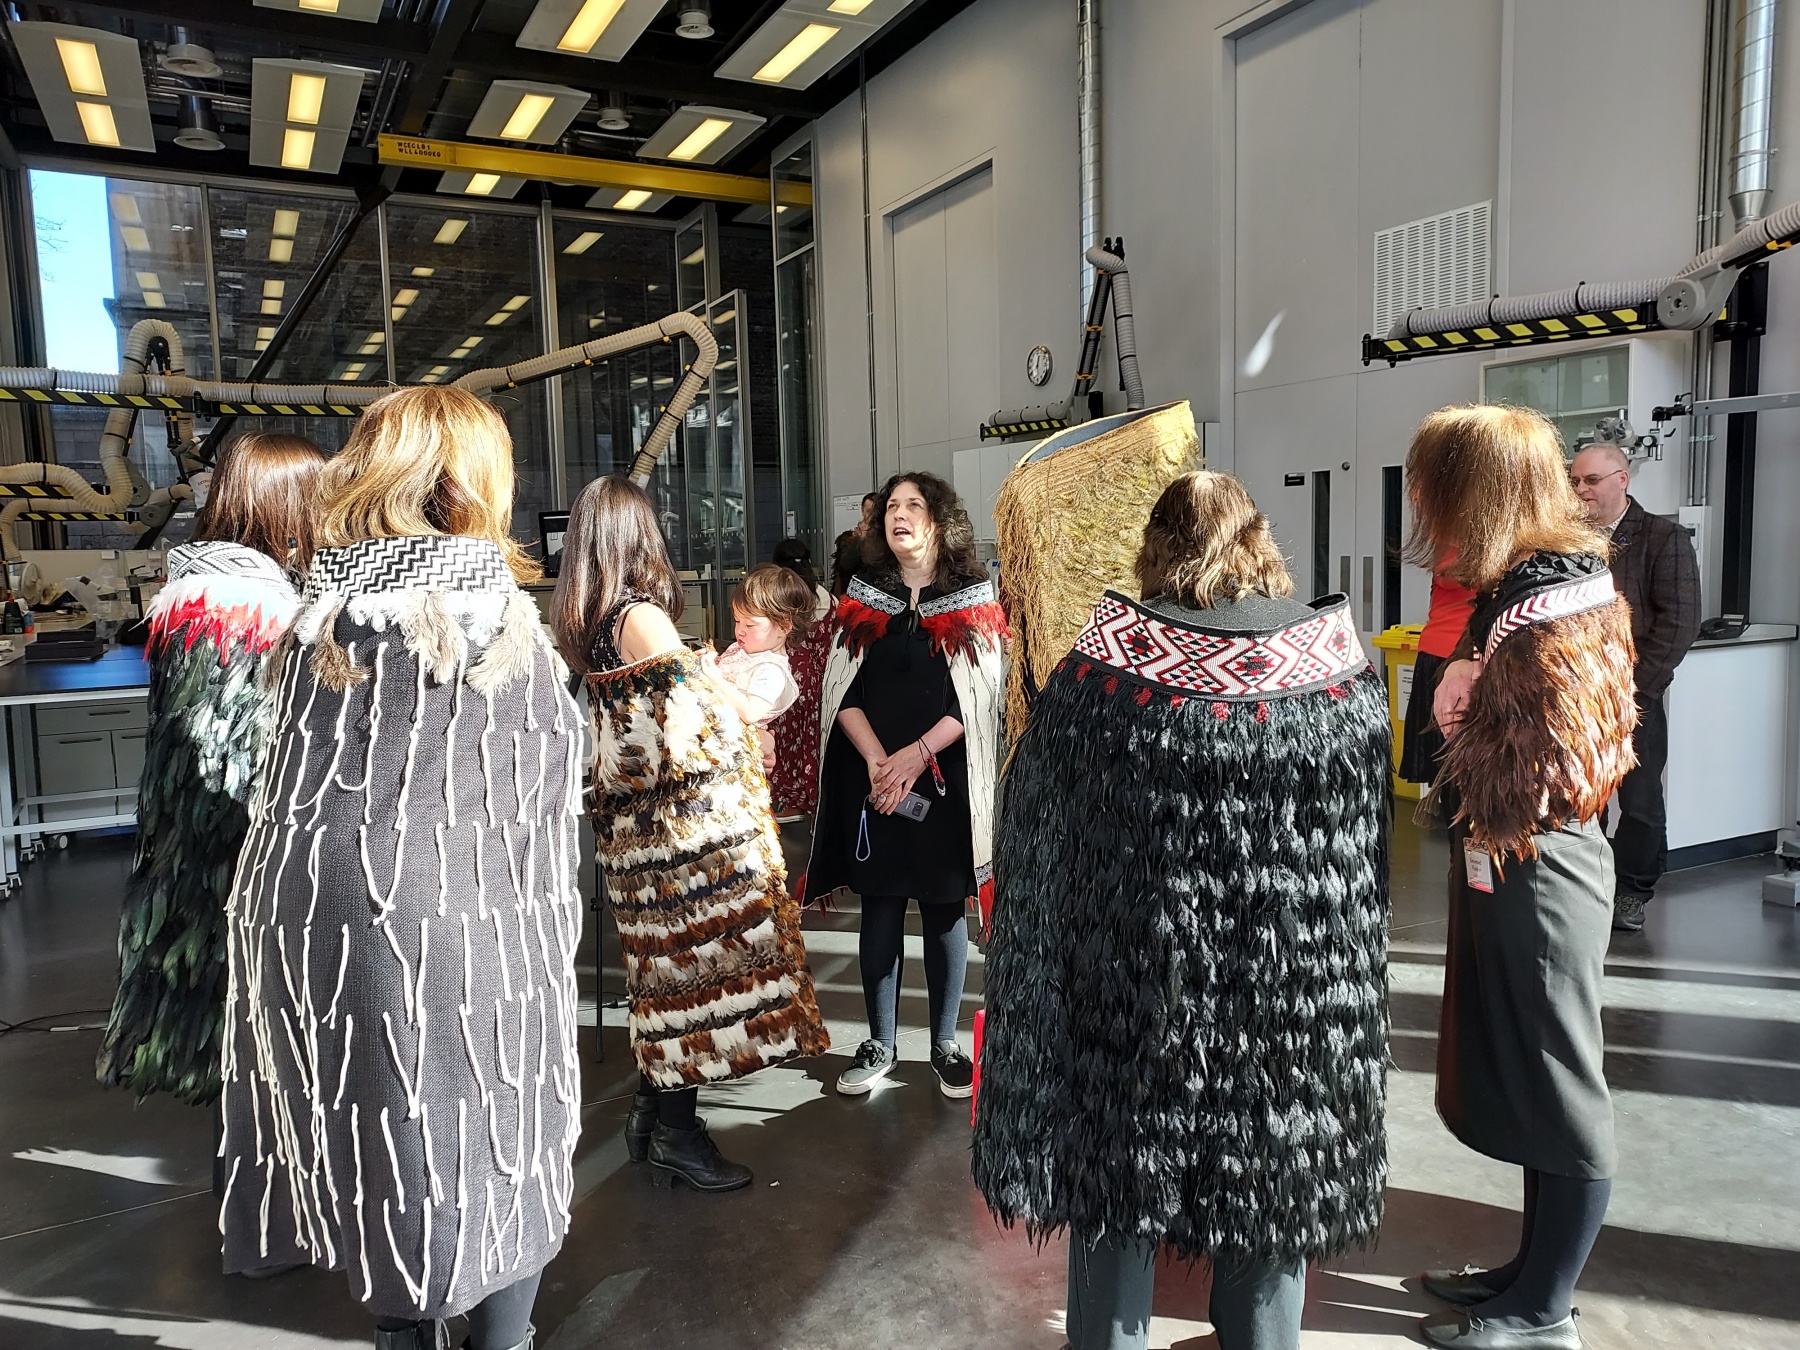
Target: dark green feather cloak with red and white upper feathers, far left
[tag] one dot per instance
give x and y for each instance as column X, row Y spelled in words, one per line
column 211, row 631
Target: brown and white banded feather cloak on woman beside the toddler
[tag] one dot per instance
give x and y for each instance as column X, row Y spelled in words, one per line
column 714, row 958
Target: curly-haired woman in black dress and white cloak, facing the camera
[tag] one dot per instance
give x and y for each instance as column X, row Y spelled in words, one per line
column 910, row 717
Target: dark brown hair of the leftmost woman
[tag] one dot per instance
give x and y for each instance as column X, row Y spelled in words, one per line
column 262, row 496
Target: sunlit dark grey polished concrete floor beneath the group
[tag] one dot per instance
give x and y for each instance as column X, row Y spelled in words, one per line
column 863, row 1228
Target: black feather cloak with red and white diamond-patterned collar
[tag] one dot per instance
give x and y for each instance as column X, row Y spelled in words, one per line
column 1187, row 1025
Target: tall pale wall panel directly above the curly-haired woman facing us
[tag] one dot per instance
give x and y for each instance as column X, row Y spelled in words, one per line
column 946, row 323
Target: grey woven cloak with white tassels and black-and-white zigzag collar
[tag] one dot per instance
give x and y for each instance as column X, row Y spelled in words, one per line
column 402, row 1090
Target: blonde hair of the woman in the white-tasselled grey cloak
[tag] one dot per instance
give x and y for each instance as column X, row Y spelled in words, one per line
column 424, row 462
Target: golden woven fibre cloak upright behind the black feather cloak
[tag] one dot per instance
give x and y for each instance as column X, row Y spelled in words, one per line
column 1070, row 521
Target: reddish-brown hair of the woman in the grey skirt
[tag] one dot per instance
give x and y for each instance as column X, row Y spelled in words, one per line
column 1489, row 485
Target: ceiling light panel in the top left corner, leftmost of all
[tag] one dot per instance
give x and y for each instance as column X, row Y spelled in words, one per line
column 89, row 85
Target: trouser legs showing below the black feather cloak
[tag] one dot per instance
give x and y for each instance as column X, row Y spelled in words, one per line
column 1111, row 1284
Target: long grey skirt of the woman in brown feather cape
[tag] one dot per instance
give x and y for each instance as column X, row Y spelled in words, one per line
column 1522, row 1072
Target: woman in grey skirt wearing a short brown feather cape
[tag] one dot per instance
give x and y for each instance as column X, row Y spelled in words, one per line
column 1538, row 712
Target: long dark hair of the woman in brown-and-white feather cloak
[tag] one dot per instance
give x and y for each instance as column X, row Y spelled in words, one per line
column 615, row 544
